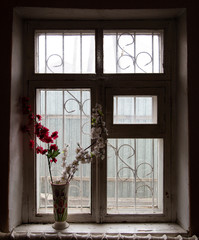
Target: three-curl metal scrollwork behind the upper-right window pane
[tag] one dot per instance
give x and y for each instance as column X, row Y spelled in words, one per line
column 134, row 59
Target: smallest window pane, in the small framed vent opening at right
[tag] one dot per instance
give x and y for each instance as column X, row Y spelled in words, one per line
column 135, row 109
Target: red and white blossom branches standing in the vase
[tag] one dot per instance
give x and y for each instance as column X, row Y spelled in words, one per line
column 35, row 129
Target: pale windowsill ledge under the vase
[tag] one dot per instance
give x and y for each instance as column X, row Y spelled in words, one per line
column 170, row 229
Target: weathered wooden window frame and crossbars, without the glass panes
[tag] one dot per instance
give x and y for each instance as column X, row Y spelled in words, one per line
column 103, row 87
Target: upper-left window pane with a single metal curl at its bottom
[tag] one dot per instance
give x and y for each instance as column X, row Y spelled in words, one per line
column 65, row 52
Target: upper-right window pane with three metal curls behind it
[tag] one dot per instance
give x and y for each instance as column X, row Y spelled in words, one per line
column 133, row 51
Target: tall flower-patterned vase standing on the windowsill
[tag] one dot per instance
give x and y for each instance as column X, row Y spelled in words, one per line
column 60, row 205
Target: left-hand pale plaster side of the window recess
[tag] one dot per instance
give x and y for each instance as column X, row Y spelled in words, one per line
column 16, row 137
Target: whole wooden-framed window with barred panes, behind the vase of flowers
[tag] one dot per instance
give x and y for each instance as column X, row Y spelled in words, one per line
column 126, row 67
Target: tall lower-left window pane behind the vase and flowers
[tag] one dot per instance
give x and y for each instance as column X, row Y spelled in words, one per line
column 68, row 112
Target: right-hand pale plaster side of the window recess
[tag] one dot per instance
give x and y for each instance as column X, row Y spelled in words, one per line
column 182, row 150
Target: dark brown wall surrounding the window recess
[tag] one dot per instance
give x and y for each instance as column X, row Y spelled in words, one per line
column 6, row 107
